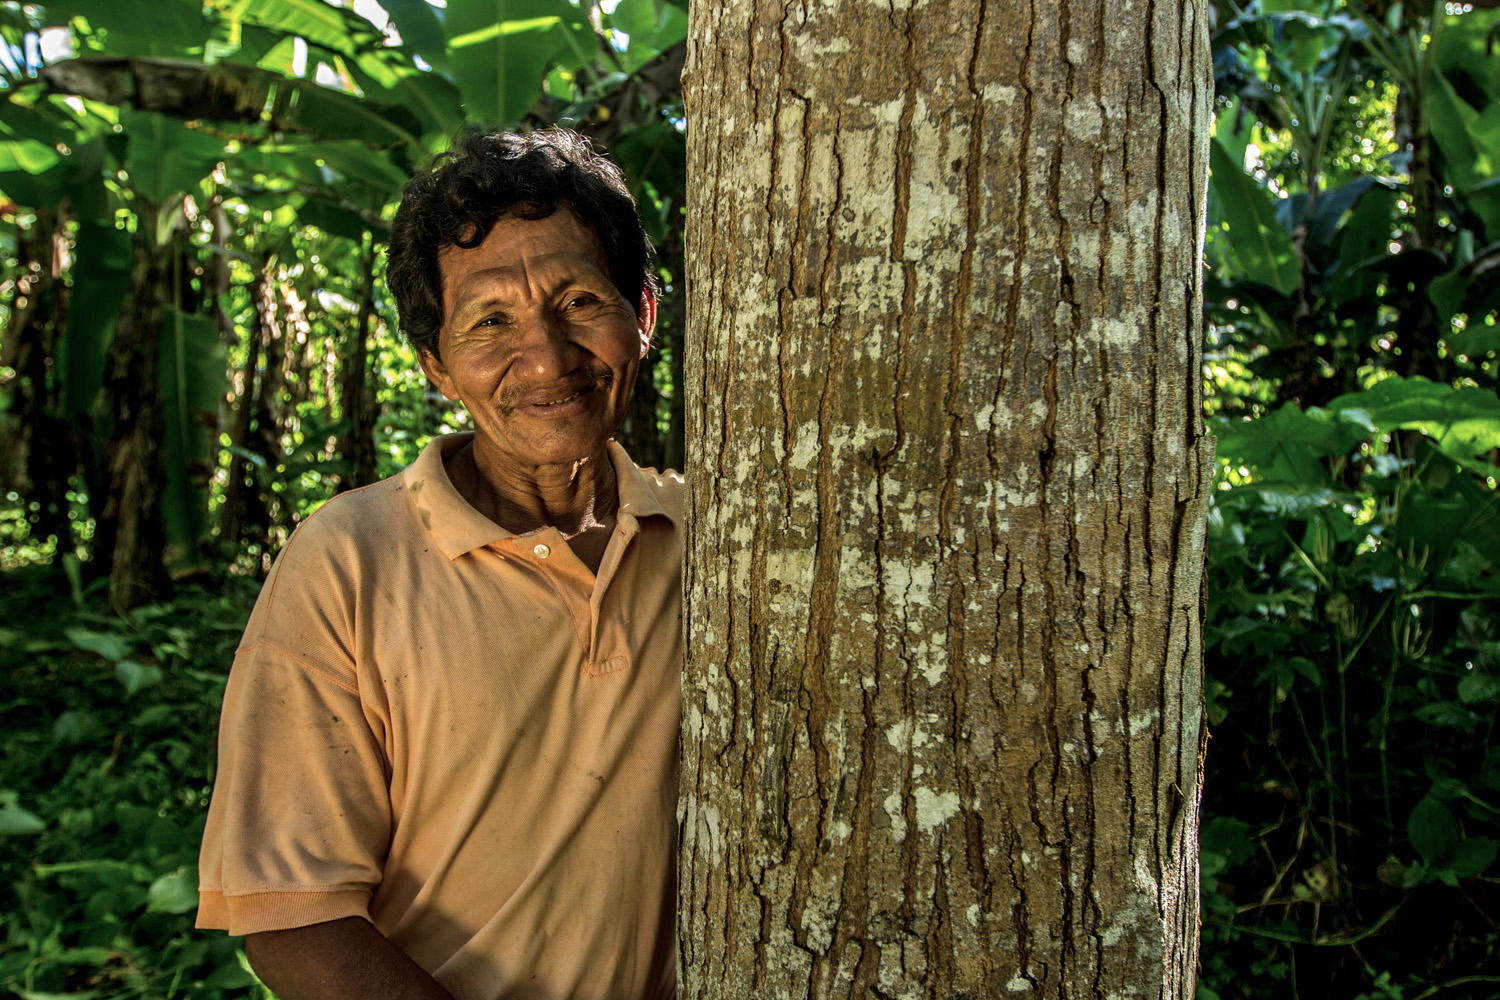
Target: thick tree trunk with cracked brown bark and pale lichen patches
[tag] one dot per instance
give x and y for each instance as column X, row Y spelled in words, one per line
column 943, row 714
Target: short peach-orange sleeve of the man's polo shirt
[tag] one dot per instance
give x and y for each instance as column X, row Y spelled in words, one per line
column 301, row 818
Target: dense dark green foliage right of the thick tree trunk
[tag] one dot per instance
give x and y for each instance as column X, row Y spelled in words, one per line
column 1352, row 804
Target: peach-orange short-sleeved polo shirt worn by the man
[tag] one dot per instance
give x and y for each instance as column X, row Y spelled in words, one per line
column 464, row 737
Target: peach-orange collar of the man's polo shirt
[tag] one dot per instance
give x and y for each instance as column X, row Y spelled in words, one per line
column 458, row 528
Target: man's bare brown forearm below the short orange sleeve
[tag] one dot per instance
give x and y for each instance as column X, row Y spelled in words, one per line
column 338, row 960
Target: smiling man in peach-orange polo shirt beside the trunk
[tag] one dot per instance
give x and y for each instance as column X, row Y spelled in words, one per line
column 448, row 761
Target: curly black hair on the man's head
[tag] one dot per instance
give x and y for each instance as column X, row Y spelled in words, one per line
column 488, row 176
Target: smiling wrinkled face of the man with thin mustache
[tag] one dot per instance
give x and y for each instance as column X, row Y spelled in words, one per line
column 538, row 343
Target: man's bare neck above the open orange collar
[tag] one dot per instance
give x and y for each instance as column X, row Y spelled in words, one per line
column 572, row 499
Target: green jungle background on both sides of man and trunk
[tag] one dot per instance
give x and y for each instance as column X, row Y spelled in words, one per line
column 199, row 350
